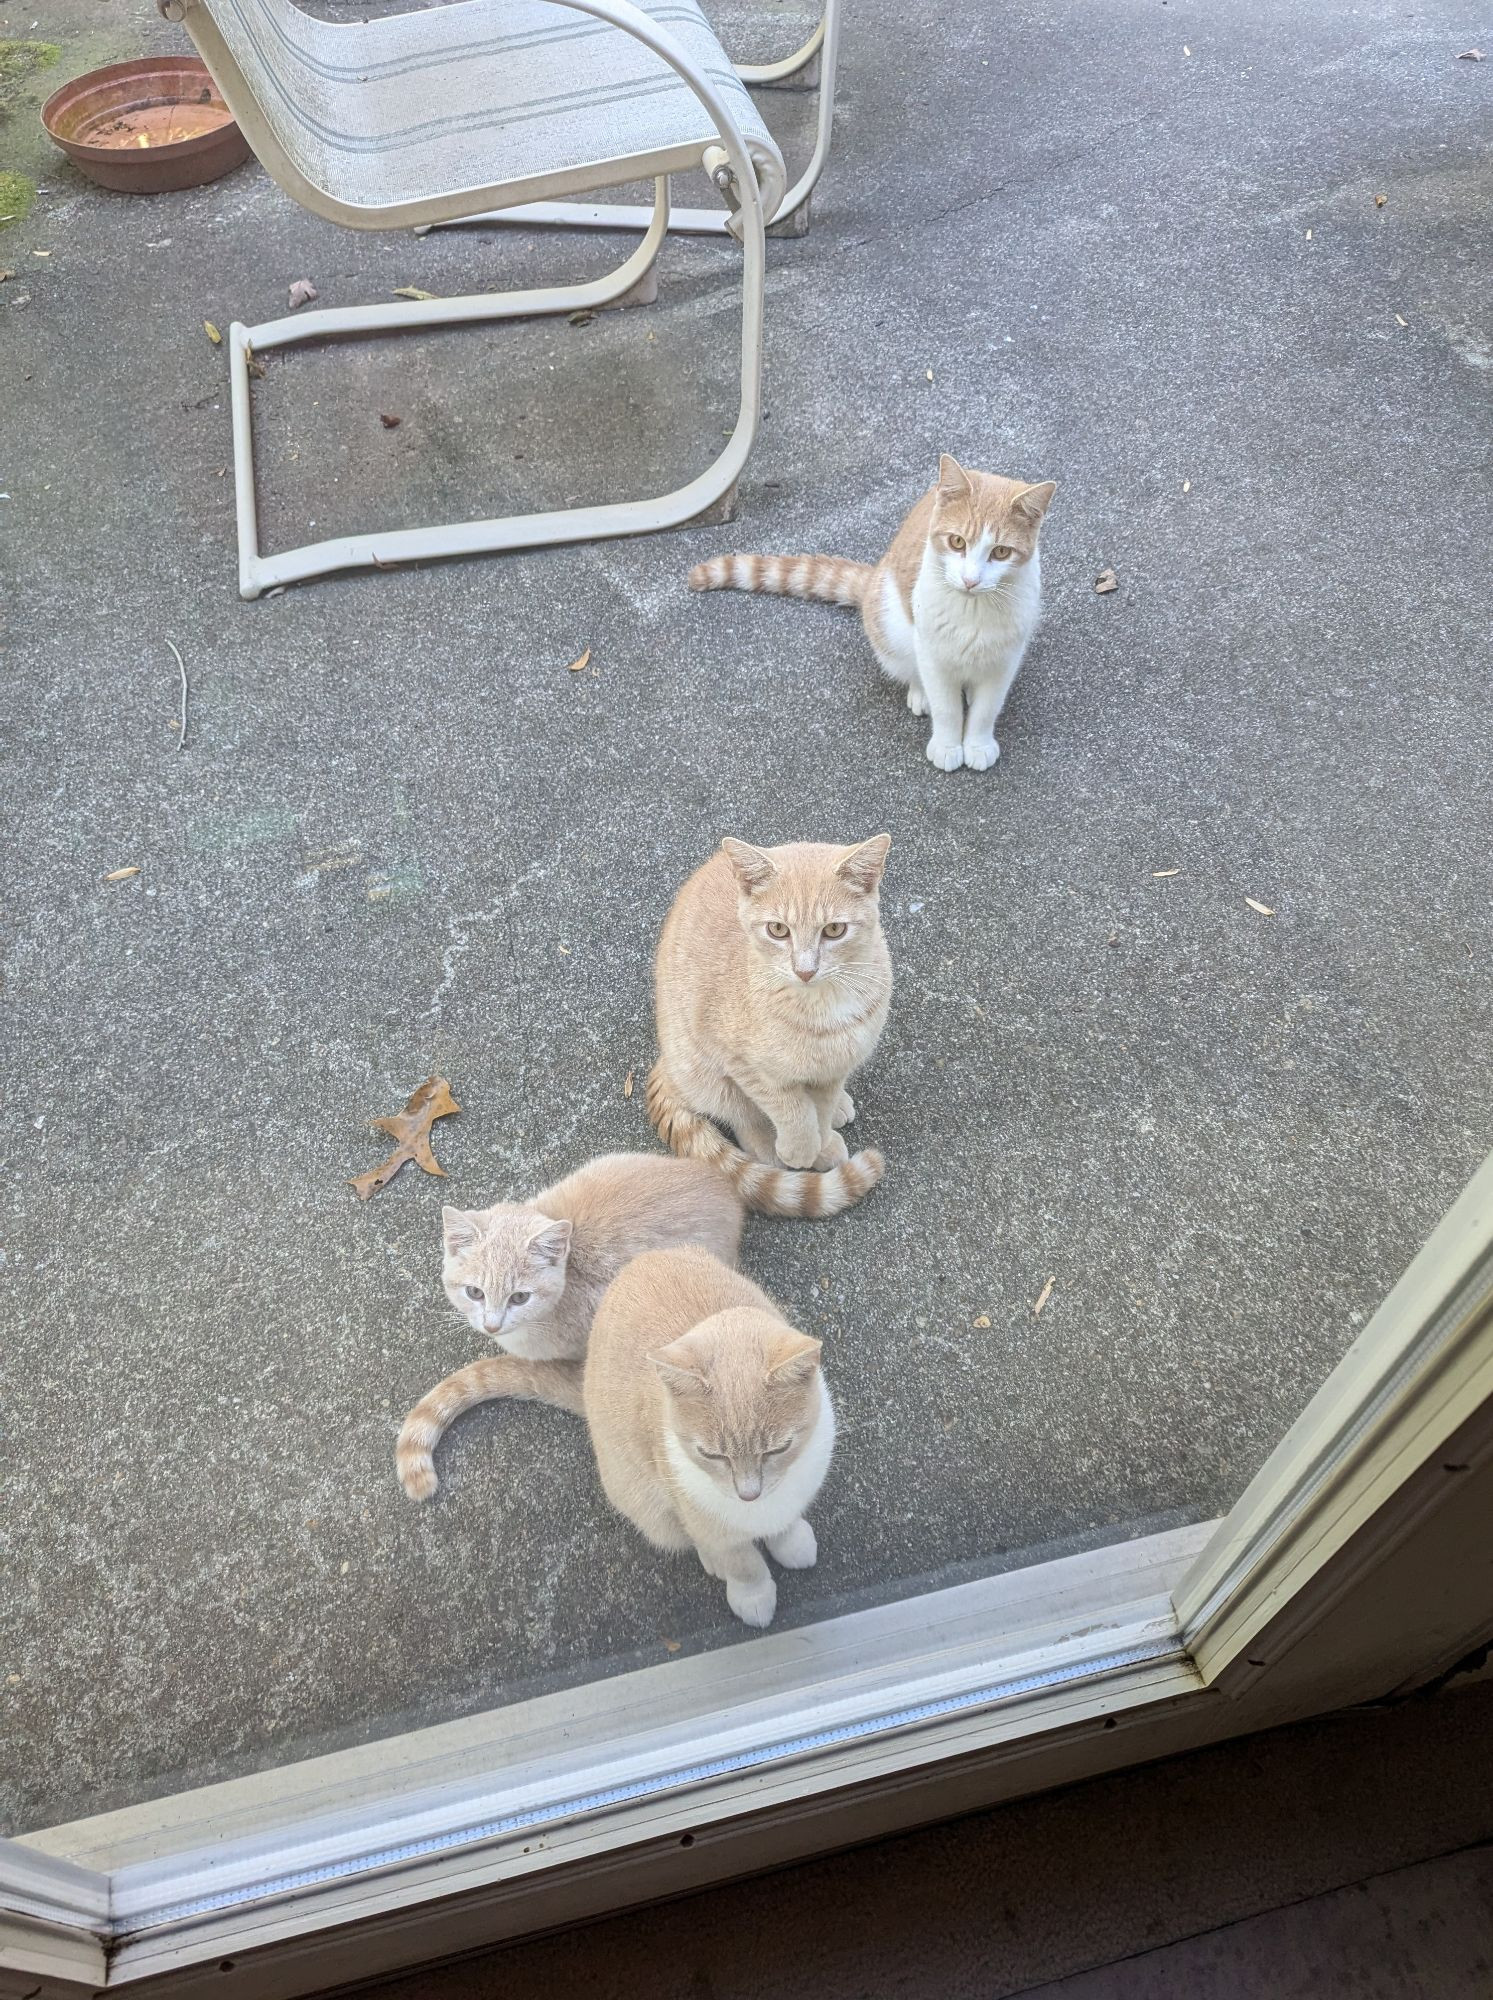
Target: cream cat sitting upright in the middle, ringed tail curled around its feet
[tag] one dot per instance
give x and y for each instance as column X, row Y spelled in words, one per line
column 774, row 985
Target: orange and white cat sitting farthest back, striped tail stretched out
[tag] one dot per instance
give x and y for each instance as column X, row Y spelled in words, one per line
column 950, row 609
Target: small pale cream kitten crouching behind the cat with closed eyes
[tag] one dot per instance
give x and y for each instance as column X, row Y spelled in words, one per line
column 531, row 1275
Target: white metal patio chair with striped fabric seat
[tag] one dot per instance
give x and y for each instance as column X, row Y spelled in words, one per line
column 433, row 117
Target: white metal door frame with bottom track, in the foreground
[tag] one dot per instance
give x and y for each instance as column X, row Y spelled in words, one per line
column 1356, row 1565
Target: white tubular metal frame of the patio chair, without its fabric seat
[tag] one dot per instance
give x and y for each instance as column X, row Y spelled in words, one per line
column 707, row 491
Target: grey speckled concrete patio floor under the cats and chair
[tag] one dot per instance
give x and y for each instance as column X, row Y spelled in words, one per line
column 1134, row 249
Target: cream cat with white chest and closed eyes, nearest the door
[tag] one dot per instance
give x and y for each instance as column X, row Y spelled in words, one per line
column 707, row 1415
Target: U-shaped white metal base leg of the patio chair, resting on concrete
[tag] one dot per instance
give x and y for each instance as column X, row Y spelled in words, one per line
column 701, row 495
